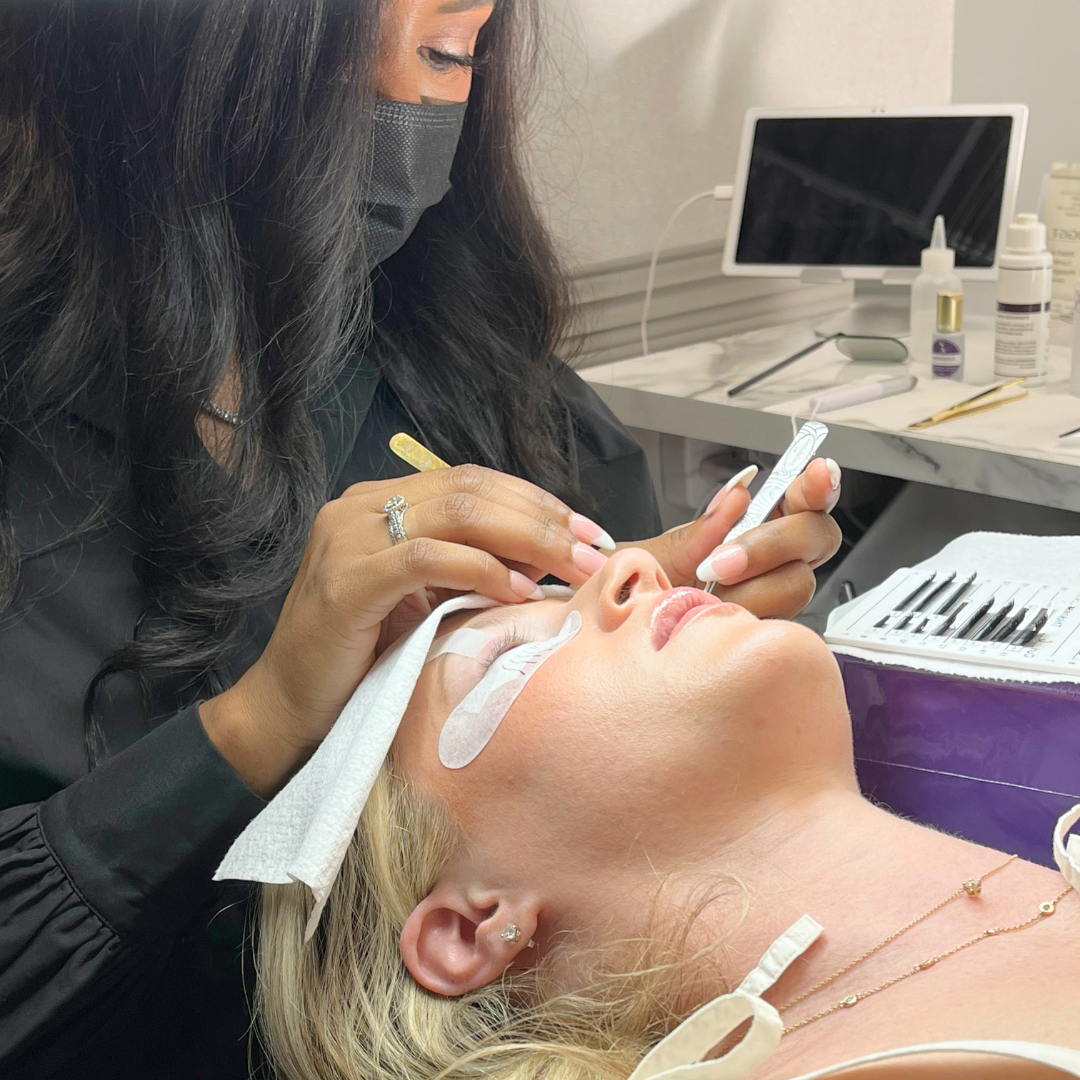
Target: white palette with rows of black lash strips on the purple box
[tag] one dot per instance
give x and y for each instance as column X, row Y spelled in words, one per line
column 968, row 617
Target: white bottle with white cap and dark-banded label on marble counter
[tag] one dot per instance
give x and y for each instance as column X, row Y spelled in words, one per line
column 1025, row 286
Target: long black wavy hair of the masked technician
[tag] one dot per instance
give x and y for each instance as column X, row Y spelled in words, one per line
column 182, row 186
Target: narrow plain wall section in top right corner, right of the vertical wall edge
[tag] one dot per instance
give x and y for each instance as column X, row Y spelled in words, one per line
column 1008, row 51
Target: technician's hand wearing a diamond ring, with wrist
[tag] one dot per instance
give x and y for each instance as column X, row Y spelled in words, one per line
column 470, row 530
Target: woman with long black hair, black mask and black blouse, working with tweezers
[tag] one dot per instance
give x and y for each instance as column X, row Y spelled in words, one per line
column 242, row 245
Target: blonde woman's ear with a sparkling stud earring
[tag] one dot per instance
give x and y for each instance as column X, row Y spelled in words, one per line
column 454, row 943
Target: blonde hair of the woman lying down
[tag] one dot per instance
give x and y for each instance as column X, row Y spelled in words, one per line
column 346, row 1008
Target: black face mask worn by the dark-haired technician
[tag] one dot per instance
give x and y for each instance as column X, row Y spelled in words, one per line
column 413, row 152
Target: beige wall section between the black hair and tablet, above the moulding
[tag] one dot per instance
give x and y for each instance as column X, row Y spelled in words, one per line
column 653, row 93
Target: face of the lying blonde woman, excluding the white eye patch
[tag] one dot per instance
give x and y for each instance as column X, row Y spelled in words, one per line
column 646, row 742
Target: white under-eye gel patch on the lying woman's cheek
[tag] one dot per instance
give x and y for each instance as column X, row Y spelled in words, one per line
column 472, row 724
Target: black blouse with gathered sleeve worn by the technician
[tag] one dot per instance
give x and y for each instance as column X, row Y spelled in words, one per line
column 119, row 956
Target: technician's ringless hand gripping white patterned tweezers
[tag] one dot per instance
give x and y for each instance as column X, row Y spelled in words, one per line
column 768, row 571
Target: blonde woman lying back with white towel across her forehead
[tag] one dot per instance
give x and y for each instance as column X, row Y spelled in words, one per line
column 606, row 814
